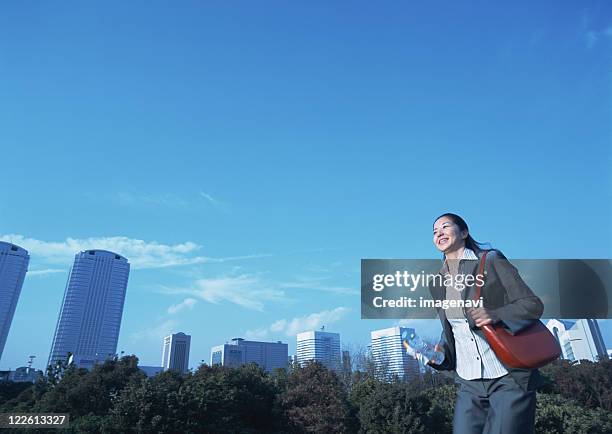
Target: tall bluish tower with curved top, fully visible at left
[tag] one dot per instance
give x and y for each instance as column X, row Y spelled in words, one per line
column 90, row 317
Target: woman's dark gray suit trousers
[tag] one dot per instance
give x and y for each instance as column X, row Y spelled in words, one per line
column 493, row 406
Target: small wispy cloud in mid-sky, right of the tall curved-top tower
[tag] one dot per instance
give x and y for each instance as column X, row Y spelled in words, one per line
column 246, row 290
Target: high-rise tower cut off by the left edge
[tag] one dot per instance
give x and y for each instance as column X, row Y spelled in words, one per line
column 13, row 266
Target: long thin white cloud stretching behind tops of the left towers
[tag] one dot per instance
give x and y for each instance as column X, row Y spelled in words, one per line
column 140, row 253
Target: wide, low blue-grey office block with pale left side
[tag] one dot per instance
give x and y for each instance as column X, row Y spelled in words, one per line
column 268, row 355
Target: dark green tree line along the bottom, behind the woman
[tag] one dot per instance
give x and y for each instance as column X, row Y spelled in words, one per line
column 116, row 397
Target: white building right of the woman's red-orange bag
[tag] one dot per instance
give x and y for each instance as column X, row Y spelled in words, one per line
column 579, row 340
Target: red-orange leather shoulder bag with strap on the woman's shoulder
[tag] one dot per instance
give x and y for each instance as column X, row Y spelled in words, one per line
column 532, row 347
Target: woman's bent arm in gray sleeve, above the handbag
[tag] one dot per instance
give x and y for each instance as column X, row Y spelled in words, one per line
column 523, row 306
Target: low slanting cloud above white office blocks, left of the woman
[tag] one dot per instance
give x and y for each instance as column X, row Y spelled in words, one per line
column 299, row 324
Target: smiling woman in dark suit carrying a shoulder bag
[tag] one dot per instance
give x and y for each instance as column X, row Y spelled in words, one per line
column 492, row 397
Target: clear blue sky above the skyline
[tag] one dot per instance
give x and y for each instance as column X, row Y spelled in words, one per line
column 245, row 156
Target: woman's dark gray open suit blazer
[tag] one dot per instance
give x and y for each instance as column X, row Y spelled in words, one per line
column 507, row 295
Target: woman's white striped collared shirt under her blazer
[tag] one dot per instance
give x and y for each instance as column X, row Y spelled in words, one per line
column 475, row 358
